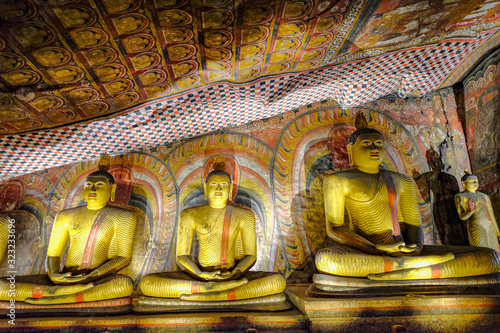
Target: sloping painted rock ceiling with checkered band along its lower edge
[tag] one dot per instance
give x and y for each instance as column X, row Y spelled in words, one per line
column 79, row 78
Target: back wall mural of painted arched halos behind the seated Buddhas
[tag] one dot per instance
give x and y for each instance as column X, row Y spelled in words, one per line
column 278, row 165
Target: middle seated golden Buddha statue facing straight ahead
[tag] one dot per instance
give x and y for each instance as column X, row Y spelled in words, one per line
column 227, row 250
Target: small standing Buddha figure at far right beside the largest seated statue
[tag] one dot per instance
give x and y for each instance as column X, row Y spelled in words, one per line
column 475, row 208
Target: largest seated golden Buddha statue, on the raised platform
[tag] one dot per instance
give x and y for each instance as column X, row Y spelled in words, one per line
column 384, row 241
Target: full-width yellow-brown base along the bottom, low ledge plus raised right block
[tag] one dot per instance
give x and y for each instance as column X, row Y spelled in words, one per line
column 372, row 313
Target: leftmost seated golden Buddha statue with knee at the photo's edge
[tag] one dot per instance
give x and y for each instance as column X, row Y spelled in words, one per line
column 100, row 241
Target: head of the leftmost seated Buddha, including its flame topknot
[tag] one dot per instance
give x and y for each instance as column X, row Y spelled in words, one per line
column 100, row 185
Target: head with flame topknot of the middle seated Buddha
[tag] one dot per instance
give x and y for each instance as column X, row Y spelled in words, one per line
column 217, row 187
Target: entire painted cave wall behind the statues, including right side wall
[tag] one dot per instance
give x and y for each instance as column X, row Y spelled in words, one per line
column 278, row 165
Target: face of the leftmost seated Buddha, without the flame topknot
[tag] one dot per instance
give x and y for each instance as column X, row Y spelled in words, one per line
column 98, row 191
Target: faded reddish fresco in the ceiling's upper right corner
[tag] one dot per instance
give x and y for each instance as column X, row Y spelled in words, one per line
column 412, row 22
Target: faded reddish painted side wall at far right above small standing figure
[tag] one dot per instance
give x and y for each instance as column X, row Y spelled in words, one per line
column 482, row 116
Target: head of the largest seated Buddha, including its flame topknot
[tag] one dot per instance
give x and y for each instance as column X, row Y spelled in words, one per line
column 365, row 146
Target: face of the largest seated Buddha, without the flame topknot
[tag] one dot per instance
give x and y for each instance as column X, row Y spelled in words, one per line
column 367, row 152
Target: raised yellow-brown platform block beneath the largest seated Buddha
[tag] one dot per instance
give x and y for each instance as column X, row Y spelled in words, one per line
column 410, row 312
